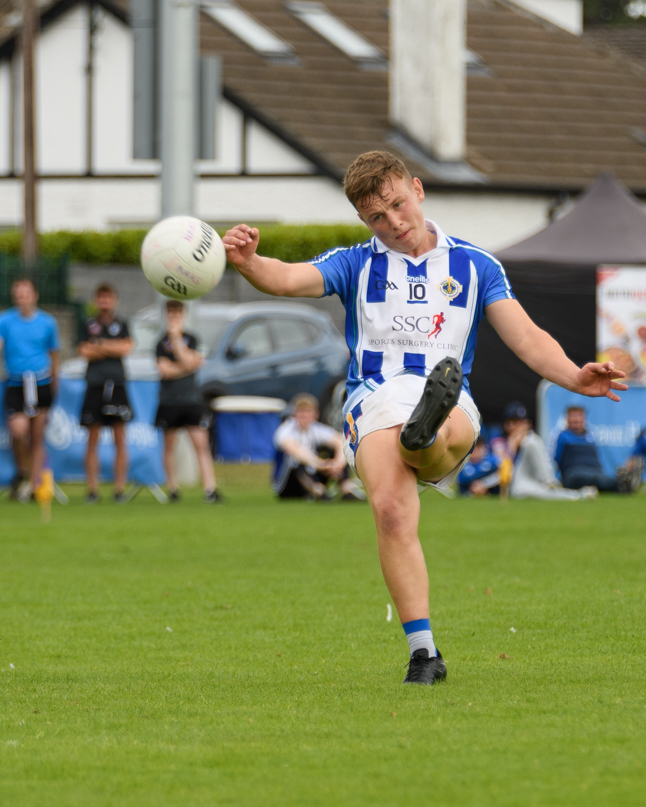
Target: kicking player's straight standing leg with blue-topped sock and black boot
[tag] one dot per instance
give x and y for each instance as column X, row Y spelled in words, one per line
column 391, row 485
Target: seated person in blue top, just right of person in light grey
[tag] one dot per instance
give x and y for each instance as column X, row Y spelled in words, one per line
column 578, row 459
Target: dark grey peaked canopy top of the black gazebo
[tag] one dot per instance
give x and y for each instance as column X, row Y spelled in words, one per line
column 606, row 225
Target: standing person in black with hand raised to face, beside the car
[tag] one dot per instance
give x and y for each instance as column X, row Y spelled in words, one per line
column 180, row 402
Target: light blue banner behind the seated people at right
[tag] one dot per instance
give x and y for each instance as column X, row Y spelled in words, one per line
column 615, row 426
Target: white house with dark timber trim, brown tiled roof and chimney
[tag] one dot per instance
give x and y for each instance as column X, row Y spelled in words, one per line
column 500, row 107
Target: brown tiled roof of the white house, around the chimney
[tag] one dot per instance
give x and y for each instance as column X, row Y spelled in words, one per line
column 550, row 112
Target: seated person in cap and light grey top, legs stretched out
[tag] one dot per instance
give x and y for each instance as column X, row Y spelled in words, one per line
column 533, row 475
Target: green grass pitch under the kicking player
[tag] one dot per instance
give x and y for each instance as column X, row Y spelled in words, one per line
column 240, row 655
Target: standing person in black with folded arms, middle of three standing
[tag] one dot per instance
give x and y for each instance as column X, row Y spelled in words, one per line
column 104, row 343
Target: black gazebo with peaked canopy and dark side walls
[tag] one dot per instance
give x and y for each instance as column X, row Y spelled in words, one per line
column 553, row 275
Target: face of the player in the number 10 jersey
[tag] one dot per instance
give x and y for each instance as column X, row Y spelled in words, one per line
column 396, row 217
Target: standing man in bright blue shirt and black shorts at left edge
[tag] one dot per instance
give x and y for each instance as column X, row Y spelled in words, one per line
column 31, row 344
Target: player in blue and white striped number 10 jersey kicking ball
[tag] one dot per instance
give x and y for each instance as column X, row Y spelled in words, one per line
column 409, row 416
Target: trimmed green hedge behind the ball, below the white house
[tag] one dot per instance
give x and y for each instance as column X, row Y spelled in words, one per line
column 291, row 243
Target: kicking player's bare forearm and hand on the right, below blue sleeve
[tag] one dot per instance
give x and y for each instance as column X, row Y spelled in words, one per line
column 545, row 356
